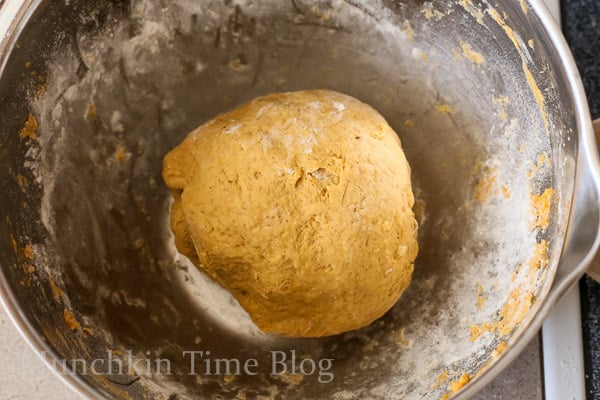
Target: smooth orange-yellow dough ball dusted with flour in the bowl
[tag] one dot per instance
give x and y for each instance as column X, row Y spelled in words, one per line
column 300, row 204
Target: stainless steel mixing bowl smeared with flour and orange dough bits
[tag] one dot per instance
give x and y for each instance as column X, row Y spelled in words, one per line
column 492, row 116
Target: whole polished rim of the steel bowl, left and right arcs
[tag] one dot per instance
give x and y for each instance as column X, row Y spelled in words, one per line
column 14, row 18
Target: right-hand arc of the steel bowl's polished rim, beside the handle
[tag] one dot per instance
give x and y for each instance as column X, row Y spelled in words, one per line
column 587, row 161
